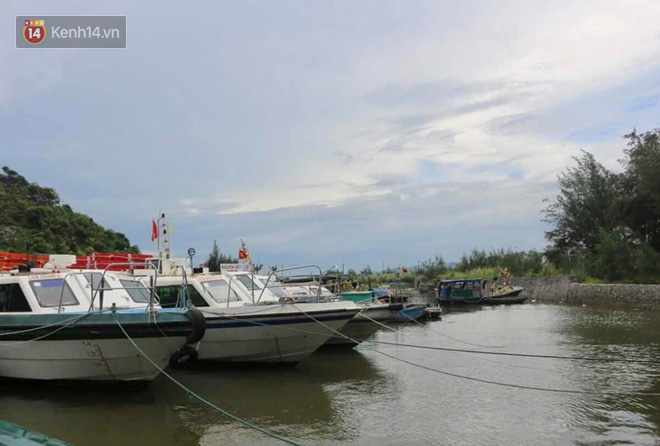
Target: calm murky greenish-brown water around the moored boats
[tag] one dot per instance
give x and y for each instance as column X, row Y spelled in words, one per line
column 362, row 397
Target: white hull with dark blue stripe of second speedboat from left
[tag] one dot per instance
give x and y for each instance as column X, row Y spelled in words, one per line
column 277, row 334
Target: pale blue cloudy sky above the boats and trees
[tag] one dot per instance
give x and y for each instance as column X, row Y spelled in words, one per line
column 375, row 133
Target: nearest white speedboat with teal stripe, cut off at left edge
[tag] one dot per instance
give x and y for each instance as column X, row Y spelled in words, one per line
column 73, row 325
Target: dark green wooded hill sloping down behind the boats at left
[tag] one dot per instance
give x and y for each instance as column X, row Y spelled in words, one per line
column 32, row 220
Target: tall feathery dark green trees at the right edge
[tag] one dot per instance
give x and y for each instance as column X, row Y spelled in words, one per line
column 607, row 224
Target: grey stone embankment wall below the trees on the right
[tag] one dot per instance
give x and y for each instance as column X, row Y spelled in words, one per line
column 566, row 289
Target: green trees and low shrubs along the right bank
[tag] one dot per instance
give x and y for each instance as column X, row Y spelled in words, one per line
column 606, row 227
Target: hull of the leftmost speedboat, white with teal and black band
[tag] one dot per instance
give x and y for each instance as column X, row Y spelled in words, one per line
column 93, row 348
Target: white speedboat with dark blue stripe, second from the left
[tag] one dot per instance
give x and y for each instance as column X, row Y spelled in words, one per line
column 246, row 322
